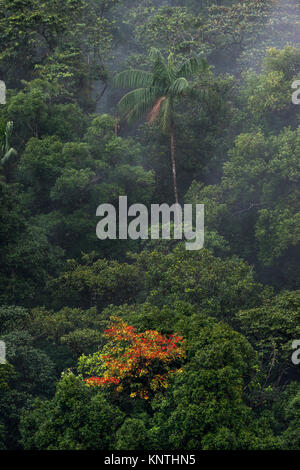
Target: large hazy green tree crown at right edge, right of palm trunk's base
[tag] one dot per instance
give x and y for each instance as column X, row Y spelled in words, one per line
column 260, row 186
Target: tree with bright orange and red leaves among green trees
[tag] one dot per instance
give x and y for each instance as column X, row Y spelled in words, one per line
column 135, row 363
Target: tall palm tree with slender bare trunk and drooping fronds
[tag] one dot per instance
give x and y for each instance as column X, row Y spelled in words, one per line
column 156, row 92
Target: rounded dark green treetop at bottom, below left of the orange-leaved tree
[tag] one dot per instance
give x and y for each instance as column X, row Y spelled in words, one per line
column 76, row 419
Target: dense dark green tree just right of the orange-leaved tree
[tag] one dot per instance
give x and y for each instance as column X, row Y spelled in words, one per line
column 206, row 410
